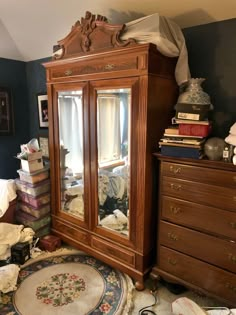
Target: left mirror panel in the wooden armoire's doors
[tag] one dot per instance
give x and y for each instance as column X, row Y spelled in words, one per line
column 70, row 111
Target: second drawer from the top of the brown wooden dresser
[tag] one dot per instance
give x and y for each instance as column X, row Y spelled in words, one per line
column 211, row 195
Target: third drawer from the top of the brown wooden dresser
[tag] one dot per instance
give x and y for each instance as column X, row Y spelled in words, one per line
column 198, row 216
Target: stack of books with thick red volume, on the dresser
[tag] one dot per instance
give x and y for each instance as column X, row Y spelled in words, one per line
column 185, row 138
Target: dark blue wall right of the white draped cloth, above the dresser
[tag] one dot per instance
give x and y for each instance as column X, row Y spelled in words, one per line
column 212, row 55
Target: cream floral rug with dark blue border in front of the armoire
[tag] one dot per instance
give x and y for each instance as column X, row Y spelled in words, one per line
column 75, row 284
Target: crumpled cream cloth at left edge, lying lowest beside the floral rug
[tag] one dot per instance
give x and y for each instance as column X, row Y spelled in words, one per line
column 8, row 276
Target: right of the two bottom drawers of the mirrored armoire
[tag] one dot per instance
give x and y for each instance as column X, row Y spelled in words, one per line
column 114, row 251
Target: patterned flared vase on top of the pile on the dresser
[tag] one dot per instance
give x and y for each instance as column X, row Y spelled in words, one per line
column 194, row 93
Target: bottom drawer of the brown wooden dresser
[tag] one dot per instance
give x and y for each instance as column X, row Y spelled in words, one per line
column 198, row 273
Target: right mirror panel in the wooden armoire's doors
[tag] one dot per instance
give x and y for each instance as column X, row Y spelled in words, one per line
column 113, row 148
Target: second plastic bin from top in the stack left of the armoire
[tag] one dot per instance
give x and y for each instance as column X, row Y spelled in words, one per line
column 33, row 189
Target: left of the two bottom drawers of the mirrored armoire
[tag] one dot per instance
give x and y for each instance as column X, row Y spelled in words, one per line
column 71, row 232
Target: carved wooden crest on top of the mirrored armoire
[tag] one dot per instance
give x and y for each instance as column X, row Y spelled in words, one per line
column 91, row 34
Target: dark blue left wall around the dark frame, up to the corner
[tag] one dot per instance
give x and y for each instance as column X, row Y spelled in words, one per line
column 13, row 76
